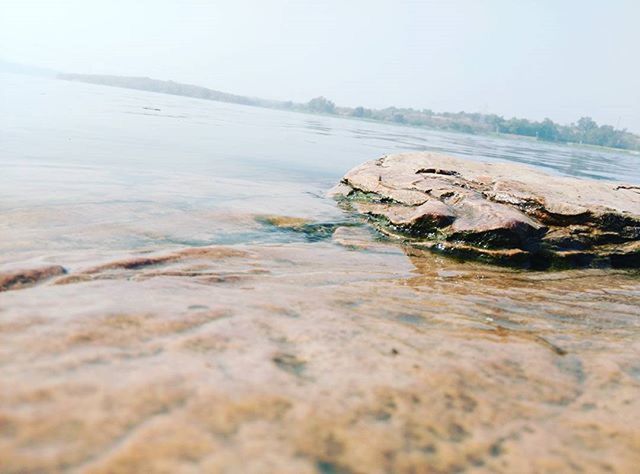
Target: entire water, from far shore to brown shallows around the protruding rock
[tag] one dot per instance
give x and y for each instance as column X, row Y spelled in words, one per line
column 193, row 334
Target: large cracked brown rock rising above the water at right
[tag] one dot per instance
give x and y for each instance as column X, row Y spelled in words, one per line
column 498, row 212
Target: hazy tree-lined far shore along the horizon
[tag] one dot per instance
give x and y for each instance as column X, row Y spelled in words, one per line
column 584, row 131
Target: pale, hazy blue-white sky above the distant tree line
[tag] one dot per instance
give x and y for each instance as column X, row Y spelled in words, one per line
column 556, row 58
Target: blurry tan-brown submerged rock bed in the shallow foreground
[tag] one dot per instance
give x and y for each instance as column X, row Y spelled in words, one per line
column 340, row 356
